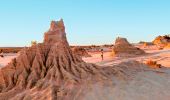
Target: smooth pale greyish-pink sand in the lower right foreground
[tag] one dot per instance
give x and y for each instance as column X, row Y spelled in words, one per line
column 145, row 86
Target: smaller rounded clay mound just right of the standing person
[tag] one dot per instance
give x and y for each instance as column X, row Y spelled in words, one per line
column 123, row 47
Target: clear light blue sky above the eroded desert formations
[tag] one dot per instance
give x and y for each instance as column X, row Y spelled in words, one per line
column 87, row 21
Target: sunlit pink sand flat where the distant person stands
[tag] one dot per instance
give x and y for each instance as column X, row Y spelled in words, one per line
column 161, row 56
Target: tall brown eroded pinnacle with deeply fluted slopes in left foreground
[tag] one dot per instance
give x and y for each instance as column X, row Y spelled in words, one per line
column 46, row 67
